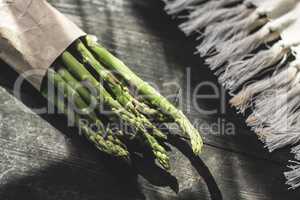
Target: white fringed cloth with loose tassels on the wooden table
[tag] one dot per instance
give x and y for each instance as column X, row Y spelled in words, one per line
column 253, row 47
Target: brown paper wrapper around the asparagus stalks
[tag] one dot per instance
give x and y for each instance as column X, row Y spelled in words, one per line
column 33, row 35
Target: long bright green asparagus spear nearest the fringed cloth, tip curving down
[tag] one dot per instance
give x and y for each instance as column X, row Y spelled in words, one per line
column 148, row 92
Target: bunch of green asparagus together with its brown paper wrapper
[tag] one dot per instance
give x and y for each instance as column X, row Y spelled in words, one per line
column 97, row 91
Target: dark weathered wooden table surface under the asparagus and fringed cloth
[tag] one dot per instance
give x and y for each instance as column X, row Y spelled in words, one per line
column 41, row 158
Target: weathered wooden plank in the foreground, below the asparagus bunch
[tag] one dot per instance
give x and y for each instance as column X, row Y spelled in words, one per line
column 38, row 161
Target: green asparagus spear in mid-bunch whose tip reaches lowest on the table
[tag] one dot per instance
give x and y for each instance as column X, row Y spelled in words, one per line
column 82, row 74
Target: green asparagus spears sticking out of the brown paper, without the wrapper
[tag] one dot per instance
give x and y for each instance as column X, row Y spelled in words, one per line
column 87, row 74
